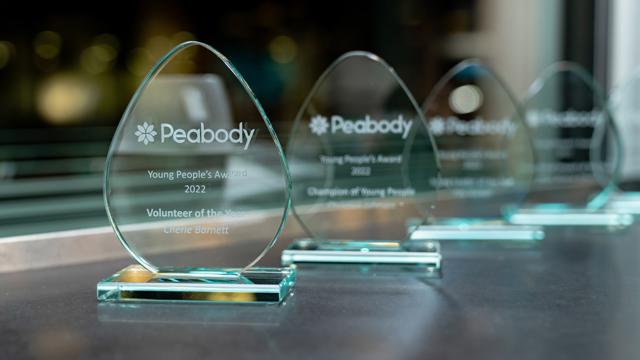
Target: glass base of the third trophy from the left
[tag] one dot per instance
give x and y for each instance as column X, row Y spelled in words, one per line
column 489, row 232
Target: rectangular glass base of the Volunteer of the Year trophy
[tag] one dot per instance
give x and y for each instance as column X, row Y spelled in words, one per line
column 136, row 284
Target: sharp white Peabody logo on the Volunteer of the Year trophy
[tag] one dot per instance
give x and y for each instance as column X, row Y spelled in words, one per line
column 146, row 134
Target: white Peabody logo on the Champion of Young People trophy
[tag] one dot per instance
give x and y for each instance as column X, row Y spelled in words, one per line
column 320, row 125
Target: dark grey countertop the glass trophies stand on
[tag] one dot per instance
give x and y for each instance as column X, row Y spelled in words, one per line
column 577, row 296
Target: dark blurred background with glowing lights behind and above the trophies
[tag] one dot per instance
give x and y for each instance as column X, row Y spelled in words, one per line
column 67, row 71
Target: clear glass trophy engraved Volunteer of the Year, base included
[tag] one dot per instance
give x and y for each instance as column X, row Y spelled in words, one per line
column 196, row 187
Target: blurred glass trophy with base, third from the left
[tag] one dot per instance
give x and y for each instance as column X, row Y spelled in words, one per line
column 486, row 158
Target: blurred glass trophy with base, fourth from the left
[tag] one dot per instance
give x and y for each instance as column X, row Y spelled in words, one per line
column 577, row 149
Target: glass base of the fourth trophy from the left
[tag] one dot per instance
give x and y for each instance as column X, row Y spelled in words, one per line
column 571, row 217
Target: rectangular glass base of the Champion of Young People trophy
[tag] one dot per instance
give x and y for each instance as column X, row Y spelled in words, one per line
column 418, row 253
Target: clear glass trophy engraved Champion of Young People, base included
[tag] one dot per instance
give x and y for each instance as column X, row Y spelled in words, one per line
column 361, row 160
